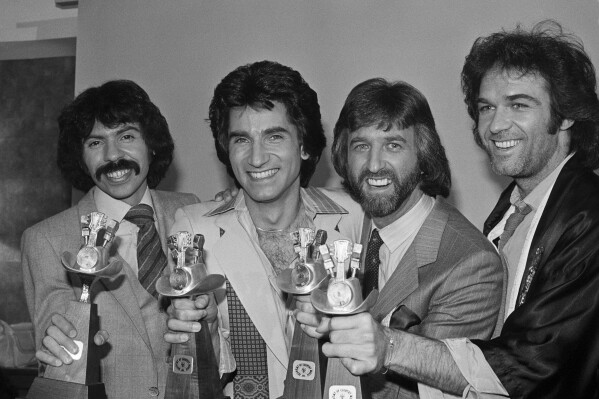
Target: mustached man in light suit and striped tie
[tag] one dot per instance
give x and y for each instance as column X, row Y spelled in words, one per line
column 115, row 144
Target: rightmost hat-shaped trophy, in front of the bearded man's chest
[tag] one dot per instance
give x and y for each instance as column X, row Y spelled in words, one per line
column 342, row 296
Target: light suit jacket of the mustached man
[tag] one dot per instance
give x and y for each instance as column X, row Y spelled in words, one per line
column 134, row 359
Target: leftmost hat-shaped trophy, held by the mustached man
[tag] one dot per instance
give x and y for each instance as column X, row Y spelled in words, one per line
column 81, row 378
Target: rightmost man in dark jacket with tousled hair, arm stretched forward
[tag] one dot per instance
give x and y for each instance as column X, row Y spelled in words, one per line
column 532, row 96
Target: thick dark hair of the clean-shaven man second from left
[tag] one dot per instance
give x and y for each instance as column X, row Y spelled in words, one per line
column 258, row 86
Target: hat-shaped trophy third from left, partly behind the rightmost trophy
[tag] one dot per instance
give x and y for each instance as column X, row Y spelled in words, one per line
column 304, row 379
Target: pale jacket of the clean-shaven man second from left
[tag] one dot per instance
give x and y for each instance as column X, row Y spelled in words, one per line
column 229, row 250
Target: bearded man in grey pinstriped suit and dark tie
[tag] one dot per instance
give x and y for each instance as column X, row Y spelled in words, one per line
column 438, row 276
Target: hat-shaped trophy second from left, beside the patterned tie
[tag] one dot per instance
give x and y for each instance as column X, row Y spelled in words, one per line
column 196, row 356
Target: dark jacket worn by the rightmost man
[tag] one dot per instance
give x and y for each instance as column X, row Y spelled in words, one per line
column 549, row 345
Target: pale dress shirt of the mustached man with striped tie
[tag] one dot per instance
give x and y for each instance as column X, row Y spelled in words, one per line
column 125, row 240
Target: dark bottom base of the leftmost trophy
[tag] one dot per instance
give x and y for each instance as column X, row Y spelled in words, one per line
column 43, row 388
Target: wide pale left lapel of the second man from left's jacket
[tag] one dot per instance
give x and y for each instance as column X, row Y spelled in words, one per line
column 244, row 269
